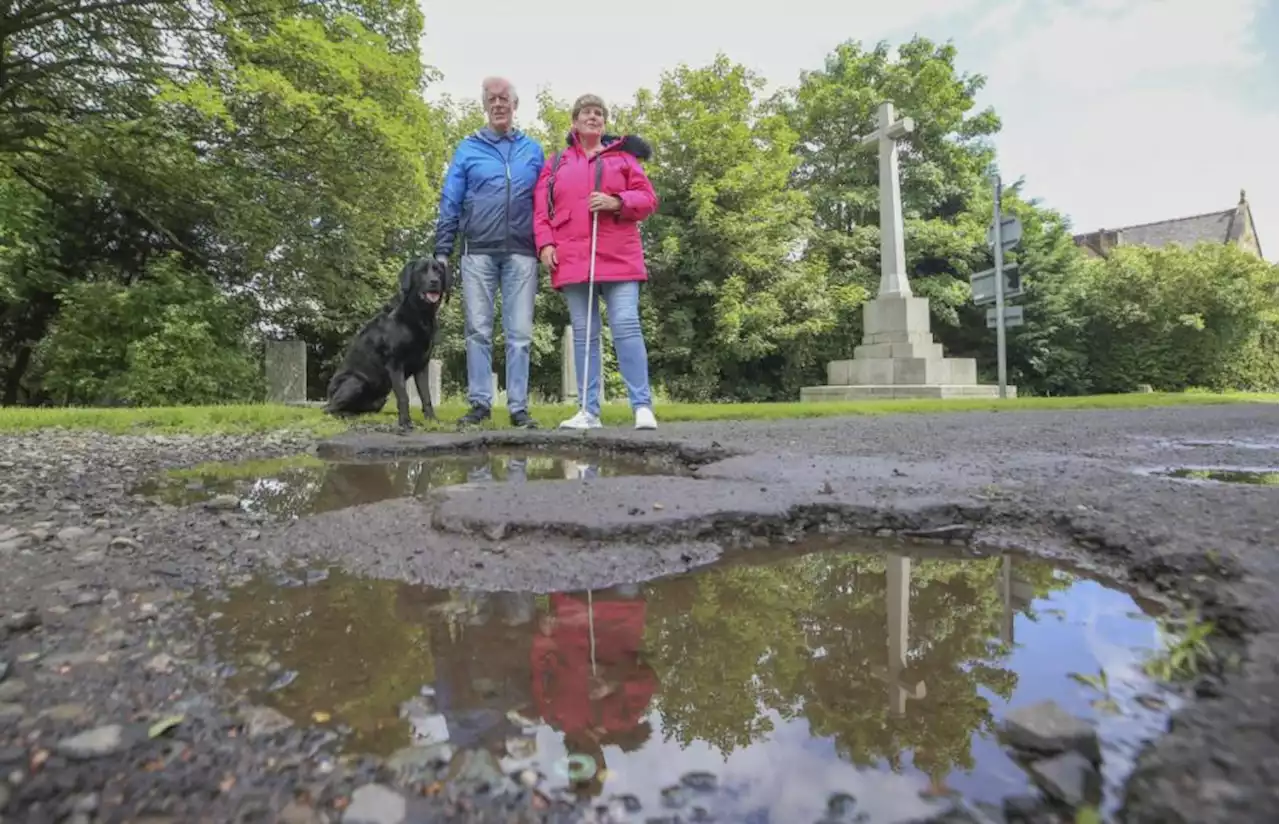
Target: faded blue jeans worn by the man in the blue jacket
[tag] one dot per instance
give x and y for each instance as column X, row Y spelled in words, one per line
column 482, row 278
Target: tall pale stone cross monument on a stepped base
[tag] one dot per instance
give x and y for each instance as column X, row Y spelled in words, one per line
column 898, row 358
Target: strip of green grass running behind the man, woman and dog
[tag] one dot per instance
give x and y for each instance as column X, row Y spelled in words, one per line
column 272, row 418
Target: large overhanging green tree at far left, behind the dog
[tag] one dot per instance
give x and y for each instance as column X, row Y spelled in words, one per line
column 286, row 153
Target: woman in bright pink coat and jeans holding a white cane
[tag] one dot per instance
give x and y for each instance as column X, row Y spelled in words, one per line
column 598, row 173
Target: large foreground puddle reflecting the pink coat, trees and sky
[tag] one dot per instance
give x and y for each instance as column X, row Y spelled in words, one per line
column 793, row 683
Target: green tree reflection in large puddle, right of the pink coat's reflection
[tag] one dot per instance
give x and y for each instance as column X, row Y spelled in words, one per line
column 807, row 638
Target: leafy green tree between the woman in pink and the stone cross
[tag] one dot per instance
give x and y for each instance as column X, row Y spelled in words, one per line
column 729, row 294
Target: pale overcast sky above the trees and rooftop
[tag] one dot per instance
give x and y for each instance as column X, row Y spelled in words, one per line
column 1117, row 112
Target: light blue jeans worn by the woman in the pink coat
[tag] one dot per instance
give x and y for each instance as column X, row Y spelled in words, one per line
column 624, row 306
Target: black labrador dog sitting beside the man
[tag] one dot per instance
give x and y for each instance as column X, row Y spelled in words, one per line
column 394, row 346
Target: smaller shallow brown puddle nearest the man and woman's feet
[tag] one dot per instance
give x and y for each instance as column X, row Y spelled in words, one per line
column 308, row 486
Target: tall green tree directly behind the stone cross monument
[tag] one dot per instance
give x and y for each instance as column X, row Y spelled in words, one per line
column 943, row 172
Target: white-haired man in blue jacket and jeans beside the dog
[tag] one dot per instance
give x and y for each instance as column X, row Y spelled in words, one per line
column 488, row 199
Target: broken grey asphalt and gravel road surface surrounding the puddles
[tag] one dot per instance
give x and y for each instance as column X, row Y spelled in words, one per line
column 108, row 597
